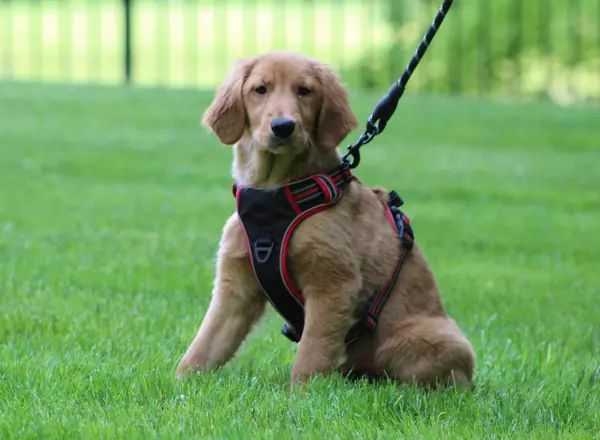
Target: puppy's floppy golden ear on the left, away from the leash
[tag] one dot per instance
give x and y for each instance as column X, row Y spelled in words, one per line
column 226, row 115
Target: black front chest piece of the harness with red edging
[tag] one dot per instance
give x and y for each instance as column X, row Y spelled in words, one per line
column 268, row 219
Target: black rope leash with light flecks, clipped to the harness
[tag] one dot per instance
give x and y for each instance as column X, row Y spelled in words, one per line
column 386, row 106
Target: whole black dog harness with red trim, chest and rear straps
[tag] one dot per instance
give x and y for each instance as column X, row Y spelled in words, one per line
column 269, row 218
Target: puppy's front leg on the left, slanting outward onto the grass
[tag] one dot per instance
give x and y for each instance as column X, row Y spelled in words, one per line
column 236, row 305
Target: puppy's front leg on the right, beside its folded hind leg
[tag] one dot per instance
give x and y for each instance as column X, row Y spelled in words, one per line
column 328, row 318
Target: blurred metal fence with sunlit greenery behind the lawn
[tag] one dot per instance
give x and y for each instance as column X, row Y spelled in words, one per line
column 497, row 48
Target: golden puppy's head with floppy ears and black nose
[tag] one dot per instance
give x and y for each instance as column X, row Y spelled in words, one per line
column 284, row 102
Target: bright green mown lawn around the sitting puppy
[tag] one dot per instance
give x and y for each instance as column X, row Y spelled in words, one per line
column 112, row 202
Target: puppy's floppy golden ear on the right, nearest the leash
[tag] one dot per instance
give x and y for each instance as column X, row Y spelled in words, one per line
column 336, row 118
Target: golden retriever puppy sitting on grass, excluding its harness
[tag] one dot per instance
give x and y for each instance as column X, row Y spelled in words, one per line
column 285, row 115
